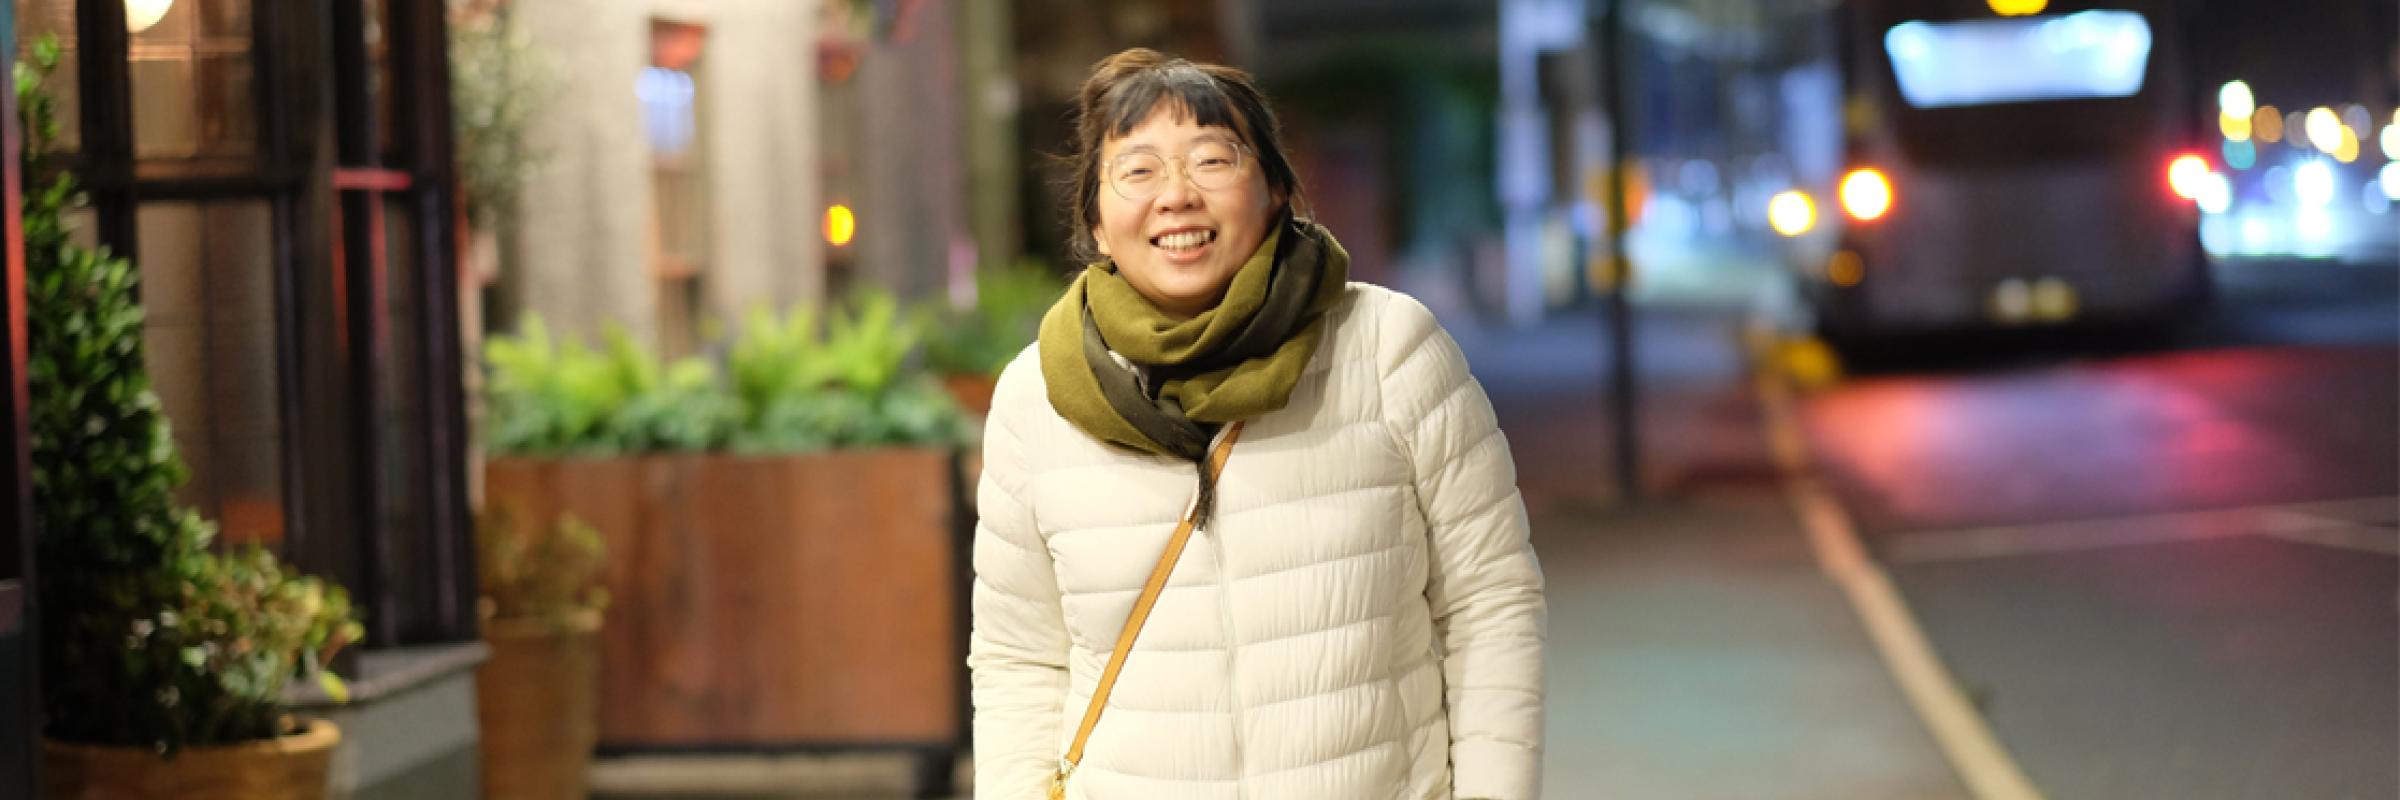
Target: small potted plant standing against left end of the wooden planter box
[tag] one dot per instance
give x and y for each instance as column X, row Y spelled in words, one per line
column 539, row 693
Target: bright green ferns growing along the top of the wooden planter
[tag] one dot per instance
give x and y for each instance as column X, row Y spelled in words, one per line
column 788, row 386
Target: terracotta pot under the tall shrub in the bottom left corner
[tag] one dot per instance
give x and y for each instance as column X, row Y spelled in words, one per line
column 289, row 768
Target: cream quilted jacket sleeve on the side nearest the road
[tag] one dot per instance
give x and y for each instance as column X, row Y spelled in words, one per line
column 1484, row 585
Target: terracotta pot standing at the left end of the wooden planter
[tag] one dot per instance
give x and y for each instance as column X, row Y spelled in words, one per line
column 539, row 708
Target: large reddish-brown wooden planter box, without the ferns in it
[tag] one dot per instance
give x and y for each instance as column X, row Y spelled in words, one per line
column 769, row 602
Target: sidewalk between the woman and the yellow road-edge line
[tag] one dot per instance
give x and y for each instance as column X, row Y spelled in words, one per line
column 1696, row 645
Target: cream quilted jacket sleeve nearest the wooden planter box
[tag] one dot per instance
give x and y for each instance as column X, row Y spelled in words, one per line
column 1019, row 647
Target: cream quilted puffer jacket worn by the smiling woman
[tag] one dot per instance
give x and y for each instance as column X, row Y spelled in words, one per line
column 1362, row 621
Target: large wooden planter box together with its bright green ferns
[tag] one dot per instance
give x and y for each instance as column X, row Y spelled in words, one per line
column 781, row 551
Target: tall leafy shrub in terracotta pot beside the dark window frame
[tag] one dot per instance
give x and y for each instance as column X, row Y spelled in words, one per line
column 164, row 662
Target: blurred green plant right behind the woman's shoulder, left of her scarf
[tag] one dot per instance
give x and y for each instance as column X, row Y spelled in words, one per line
column 1007, row 316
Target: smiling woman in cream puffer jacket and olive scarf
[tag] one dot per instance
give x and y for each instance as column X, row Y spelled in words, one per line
column 1357, row 611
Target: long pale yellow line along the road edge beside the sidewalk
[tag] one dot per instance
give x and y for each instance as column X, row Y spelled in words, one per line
column 1962, row 734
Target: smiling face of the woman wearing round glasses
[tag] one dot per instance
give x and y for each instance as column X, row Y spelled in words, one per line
column 1182, row 244
